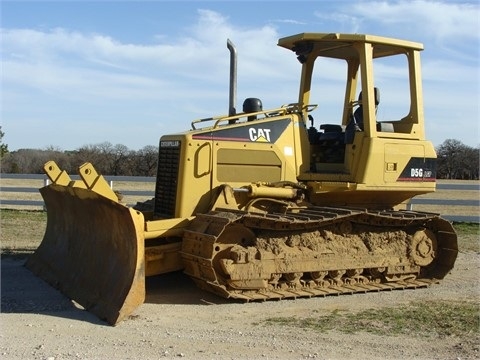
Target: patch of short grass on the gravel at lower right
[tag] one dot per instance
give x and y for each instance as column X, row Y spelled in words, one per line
column 436, row 319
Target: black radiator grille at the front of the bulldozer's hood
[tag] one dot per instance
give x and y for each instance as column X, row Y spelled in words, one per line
column 167, row 180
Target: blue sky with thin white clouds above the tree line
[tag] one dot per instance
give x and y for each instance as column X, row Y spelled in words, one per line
column 75, row 73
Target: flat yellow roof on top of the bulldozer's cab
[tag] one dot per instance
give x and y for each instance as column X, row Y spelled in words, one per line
column 339, row 46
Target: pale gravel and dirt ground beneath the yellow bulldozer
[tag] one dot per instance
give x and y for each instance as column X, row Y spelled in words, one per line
column 180, row 321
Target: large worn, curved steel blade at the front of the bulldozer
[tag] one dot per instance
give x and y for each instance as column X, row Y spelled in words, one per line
column 92, row 251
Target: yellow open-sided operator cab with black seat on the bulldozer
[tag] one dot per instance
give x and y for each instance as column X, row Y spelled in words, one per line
column 342, row 73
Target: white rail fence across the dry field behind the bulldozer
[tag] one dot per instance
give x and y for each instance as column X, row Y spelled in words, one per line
column 17, row 194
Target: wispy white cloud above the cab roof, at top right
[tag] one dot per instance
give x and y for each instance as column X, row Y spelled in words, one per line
column 447, row 22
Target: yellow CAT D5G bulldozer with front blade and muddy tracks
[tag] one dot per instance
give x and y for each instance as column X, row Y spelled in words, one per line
column 265, row 204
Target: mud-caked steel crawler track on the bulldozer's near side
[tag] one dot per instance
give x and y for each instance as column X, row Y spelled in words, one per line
column 316, row 251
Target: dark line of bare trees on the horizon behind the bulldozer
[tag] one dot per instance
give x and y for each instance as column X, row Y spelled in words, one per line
column 455, row 160
